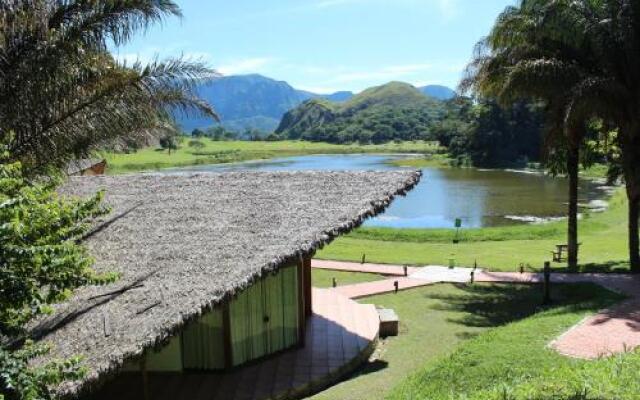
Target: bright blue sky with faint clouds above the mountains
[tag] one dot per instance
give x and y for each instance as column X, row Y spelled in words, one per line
column 325, row 45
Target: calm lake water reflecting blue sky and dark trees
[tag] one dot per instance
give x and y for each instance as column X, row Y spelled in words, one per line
column 479, row 197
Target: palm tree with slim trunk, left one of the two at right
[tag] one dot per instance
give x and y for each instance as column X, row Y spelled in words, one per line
column 523, row 58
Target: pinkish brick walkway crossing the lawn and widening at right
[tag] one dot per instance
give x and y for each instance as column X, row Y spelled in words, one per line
column 611, row 331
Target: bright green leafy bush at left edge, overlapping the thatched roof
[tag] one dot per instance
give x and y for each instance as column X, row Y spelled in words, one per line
column 40, row 262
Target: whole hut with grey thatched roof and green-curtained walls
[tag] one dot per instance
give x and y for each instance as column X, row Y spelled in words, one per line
column 214, row 270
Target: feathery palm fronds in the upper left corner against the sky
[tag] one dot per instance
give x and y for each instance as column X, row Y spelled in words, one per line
column 64, row 96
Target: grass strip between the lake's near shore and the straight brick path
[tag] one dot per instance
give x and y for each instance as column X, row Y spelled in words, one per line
column 603, row 237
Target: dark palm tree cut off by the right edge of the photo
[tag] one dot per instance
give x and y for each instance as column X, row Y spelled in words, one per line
column 598, row 46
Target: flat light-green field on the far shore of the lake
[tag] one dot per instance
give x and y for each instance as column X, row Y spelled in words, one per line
column 217, row 152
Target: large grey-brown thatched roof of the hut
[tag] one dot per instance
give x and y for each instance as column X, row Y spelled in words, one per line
column 184, row 243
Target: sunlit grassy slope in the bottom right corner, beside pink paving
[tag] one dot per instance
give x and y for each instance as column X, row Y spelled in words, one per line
column 513, row 362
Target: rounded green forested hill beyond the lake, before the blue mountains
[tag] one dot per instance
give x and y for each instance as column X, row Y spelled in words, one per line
column 393, row 111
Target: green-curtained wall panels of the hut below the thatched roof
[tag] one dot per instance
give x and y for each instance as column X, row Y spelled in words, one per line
column 263, row 319
